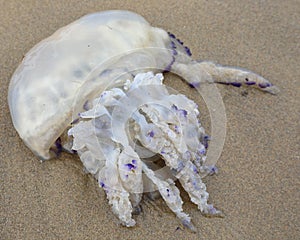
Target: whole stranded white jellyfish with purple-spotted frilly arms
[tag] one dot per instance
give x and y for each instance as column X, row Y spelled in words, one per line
column 102, row 67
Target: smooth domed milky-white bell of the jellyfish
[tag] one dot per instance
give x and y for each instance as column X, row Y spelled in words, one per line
column 43, row 88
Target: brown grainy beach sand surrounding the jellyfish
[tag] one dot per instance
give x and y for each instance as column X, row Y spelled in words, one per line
column 258, row 182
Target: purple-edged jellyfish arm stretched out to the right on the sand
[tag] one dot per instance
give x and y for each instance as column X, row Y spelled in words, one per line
column 197, row 72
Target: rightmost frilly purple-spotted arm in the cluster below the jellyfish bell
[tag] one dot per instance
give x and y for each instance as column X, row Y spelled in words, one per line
column 174, row 147
